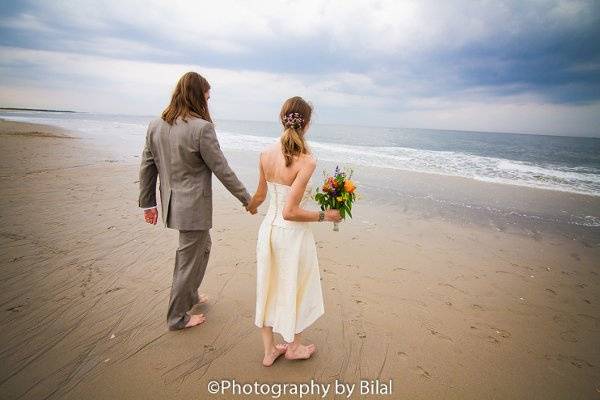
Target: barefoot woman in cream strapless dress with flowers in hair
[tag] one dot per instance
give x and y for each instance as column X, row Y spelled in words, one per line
column 288, row 283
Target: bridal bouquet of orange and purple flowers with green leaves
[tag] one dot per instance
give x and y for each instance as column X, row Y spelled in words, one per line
column 338, row 192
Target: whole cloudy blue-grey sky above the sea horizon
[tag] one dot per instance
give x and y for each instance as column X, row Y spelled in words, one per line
column 515, row 66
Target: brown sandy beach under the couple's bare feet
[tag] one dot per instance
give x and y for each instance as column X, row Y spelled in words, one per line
column 443, row 309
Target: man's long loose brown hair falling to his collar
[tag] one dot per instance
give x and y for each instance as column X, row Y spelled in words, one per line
column 188, row 99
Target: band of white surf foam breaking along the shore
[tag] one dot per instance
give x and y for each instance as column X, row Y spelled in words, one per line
column 128, row 138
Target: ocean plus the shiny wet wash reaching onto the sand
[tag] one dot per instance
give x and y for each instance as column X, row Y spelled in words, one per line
column 380, row 157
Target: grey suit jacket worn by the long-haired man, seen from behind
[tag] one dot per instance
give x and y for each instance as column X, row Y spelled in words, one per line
column 185, row 156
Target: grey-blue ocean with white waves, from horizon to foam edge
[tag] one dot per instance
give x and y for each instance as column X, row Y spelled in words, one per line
column 568, row 164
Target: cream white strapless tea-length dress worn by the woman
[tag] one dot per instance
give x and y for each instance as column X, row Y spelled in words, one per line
column 289, row 297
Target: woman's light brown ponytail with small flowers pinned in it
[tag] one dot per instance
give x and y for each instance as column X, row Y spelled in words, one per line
column 295, row 117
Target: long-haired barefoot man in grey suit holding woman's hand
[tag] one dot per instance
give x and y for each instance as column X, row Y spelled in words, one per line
column 183, row 152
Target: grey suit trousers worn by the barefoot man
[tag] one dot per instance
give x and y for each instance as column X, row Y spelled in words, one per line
column 191, row 259
